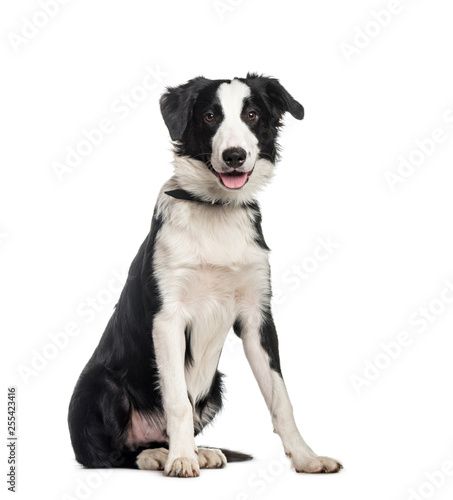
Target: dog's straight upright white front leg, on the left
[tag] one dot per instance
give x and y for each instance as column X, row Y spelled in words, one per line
column 169, row 345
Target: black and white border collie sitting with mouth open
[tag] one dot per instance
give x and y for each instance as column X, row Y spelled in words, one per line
column 152, row 383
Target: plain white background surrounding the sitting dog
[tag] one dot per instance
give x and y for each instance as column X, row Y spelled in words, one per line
column 62, row 239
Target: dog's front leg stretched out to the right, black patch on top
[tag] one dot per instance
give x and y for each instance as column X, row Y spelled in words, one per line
column 261, row 349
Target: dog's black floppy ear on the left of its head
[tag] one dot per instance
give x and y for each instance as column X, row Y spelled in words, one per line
column 177, row 103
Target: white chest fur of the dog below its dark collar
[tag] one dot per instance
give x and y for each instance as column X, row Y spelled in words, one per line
column 209, row 269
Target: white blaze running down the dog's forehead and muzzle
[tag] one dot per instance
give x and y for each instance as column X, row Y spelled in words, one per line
column 233, row 132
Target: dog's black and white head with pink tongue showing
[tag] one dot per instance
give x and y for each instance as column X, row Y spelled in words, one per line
column 225, row 133
